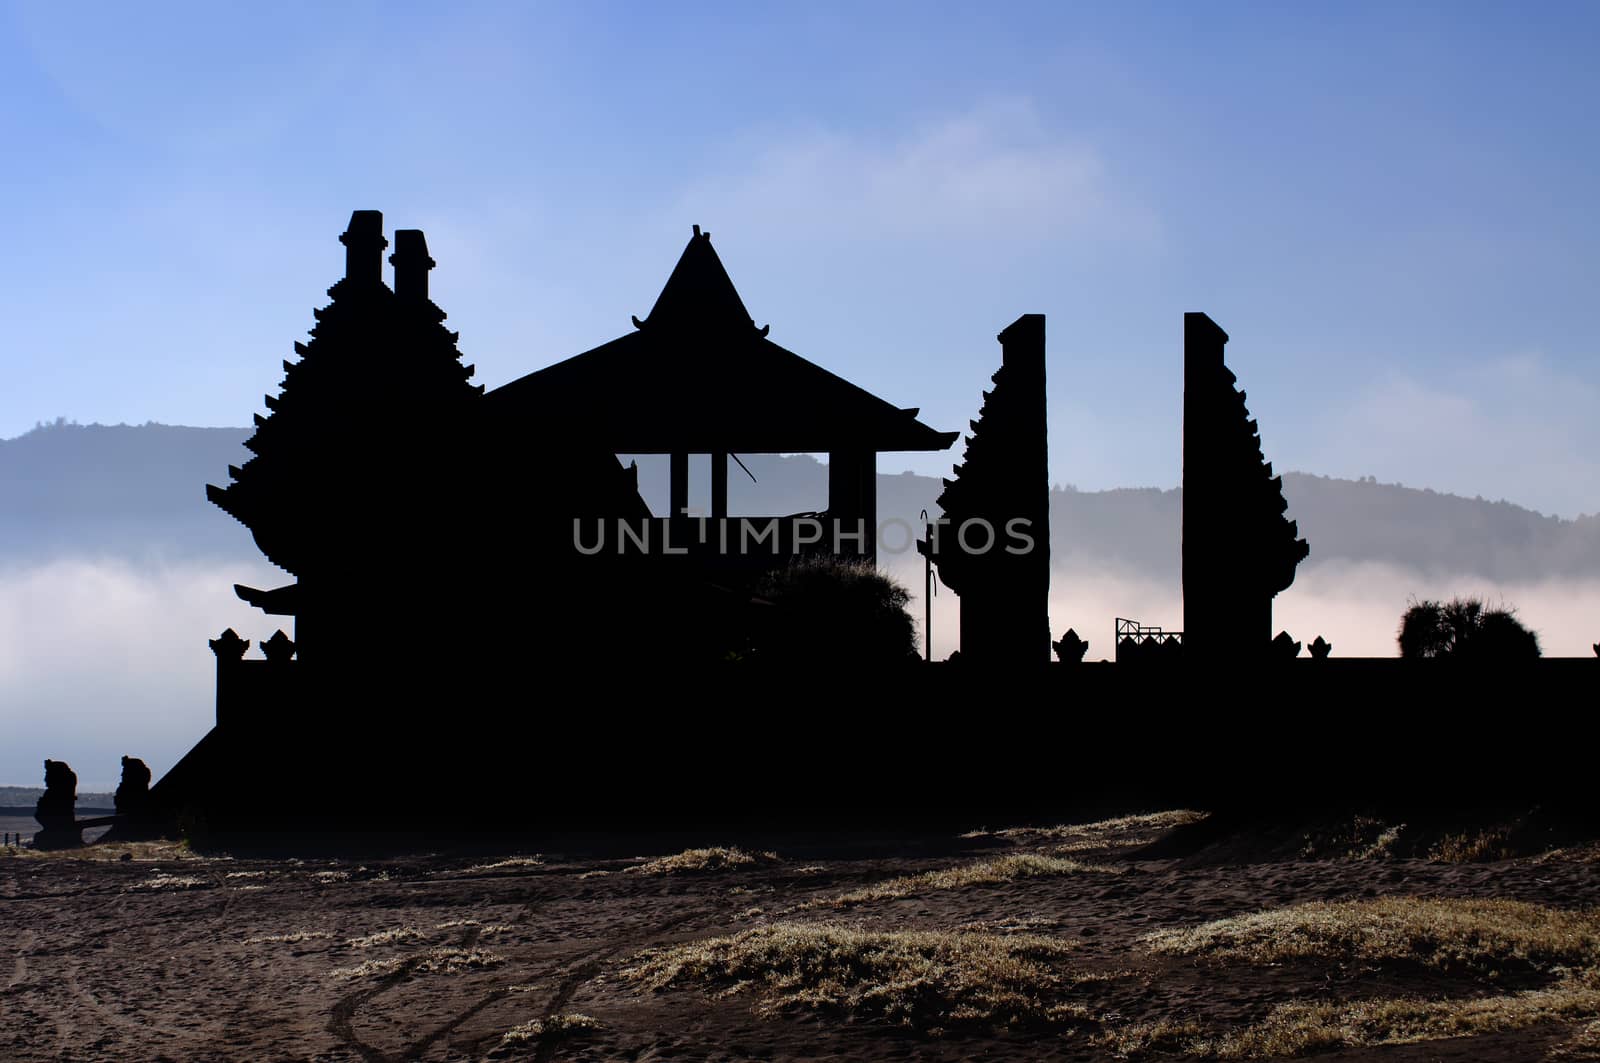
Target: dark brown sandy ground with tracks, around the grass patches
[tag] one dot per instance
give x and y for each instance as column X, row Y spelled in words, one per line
column 172, row 957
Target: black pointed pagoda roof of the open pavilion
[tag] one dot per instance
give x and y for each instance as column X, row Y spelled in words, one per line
column 698, row 377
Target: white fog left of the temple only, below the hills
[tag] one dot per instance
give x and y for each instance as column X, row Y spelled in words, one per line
column 102, row 659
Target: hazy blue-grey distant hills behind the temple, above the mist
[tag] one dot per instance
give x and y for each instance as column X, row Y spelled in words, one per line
column 138, row 494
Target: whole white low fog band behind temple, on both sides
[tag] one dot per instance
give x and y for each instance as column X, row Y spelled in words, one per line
column 102, row 659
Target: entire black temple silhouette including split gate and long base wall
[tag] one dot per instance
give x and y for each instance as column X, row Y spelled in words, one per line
column 481, row 595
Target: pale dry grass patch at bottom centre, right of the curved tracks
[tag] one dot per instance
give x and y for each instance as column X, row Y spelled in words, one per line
column 927, row 981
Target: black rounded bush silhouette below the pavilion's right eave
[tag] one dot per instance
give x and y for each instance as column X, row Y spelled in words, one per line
column 836, row 611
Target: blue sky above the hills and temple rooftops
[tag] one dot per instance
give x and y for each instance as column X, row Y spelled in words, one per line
column 1390, row 207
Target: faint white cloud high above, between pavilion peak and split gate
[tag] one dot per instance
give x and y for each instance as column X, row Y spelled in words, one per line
column 994, row 172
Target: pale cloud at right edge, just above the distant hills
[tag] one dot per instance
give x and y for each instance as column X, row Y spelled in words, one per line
column 1516, row 428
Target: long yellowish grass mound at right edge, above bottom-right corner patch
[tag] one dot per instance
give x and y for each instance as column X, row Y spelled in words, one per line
column 1481, row 936
